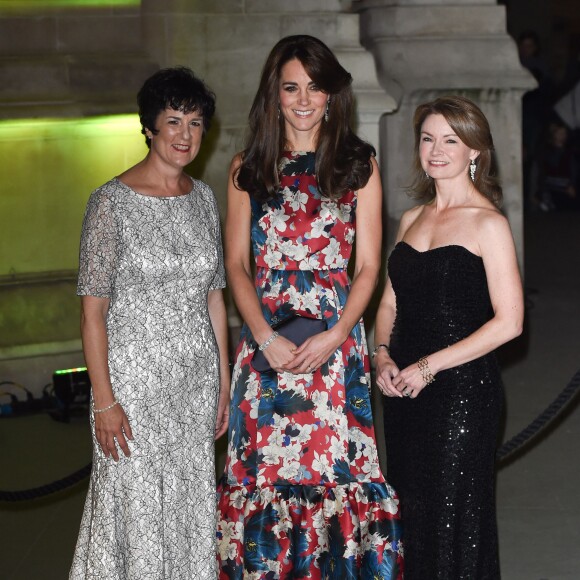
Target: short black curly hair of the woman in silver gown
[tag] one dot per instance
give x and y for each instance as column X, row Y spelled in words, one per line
column 174, row 88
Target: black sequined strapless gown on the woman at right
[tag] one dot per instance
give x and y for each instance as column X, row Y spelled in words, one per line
column 441, row 445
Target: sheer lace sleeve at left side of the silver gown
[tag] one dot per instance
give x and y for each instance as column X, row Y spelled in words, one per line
column 98, row 248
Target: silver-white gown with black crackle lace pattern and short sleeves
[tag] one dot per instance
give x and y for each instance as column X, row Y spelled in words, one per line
column 151, row 516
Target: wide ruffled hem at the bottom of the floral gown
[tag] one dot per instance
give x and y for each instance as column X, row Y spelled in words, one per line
column 317, row 532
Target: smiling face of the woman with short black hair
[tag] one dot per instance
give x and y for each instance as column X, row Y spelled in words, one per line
column 178, row 137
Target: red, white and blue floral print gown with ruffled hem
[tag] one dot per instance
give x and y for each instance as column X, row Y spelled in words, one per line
column 303, row 495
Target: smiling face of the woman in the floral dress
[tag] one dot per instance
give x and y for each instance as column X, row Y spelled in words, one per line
column 302, row 104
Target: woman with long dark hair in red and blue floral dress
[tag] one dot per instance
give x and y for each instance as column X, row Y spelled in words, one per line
column 303, row 495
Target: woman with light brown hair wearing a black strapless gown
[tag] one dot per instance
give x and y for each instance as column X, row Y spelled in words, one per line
column 453, row 296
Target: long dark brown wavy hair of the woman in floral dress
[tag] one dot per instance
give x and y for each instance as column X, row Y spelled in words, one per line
column 342, row 159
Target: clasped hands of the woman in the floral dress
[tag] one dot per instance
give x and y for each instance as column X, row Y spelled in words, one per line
column 284, row 356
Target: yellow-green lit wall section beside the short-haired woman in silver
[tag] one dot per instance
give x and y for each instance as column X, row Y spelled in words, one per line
column 49, row 168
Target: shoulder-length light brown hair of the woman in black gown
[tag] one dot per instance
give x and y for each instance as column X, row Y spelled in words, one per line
column 471, row 126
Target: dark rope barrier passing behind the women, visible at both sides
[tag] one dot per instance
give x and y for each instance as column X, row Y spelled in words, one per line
column 508, row 449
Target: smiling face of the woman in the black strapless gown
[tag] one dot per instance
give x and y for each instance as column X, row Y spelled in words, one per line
column 443, row 155
